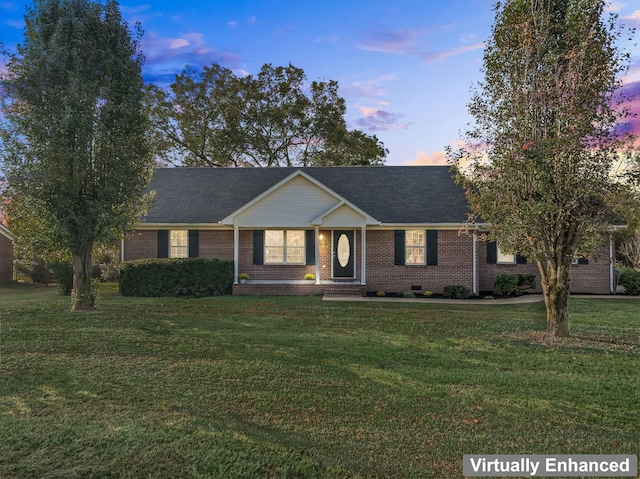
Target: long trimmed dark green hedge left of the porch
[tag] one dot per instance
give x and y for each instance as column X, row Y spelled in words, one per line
column 184, row 277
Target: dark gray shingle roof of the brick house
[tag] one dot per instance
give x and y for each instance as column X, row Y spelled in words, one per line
column 391, row 194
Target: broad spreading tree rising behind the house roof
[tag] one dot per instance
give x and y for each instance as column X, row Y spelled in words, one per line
column 214, row 118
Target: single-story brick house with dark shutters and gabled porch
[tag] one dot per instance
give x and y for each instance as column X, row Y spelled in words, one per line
column 357, row 229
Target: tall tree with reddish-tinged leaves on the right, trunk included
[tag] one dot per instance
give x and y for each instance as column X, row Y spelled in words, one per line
column 546, row 142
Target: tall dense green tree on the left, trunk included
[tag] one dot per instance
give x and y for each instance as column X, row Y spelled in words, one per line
column 74, row 139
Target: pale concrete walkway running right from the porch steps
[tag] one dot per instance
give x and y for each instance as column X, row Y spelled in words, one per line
column 526, row 298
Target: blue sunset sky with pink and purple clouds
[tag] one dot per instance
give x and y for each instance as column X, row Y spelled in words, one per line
column 405, row 67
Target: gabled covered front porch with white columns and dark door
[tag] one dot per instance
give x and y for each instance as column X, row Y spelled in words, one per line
column 300, row 238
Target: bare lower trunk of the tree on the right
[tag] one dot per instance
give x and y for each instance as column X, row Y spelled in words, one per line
column 556, row 284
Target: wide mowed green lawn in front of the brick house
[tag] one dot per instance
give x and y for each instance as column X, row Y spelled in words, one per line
column 294, row 387
